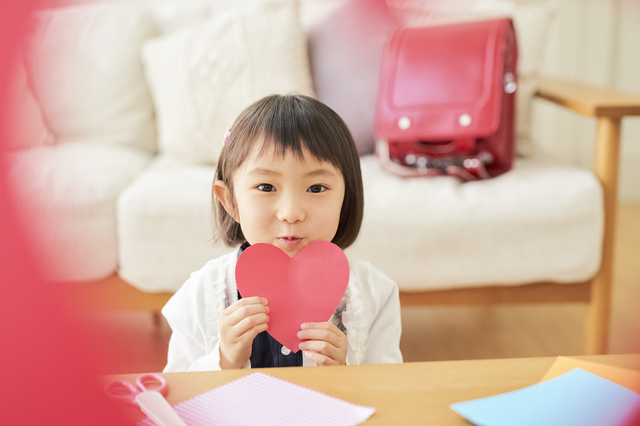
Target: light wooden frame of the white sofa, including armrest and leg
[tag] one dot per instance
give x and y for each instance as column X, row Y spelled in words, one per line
column 608, row 107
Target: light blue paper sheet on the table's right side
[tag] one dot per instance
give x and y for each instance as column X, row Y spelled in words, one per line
column 576, row 398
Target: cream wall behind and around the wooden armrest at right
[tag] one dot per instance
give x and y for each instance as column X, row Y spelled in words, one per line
column 595, row 41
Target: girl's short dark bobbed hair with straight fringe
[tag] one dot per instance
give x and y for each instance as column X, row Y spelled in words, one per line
column 289, row 123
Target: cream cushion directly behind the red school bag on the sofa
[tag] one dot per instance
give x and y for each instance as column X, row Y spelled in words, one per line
column 532, row 21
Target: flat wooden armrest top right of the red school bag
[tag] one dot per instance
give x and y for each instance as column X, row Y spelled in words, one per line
column 588, row 99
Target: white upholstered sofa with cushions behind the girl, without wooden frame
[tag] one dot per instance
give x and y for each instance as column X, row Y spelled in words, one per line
column 137, row 99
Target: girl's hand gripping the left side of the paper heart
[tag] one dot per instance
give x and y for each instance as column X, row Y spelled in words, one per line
column 239, row 324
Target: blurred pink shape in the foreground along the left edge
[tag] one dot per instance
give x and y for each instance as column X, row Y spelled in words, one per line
column 47, row 373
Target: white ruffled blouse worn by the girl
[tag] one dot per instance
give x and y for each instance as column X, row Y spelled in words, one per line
column 369, row 315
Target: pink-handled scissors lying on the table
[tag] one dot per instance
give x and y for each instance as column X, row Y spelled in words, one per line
column 150, row 401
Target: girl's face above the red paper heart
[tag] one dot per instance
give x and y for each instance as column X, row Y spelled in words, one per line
column 288, row 202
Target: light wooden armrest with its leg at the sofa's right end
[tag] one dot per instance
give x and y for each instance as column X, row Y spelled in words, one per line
column 608, row 106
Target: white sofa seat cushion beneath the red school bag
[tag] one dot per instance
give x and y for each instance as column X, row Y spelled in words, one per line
column 540, row 222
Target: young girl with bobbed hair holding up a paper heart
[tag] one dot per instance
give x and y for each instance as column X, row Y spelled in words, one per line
column 288, row 175
